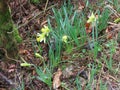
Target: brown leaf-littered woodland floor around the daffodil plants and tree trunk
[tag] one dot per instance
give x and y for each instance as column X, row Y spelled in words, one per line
column 30, row 18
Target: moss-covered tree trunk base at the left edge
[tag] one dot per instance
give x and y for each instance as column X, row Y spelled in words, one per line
column 9, row 35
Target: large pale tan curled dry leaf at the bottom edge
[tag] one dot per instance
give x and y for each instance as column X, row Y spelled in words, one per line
column 56, row 79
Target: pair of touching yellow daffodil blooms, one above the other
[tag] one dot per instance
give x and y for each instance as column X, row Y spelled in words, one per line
column 42, row 37
